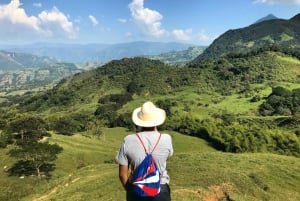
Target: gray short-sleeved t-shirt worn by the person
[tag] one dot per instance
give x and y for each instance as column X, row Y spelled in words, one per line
column 132, row 153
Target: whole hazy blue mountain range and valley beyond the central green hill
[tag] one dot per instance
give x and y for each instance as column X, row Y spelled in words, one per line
column 23, row 70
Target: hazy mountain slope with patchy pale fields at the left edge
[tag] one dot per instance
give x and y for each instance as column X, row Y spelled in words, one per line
column 23, row 71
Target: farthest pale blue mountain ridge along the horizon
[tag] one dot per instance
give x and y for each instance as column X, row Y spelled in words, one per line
column 77, row 53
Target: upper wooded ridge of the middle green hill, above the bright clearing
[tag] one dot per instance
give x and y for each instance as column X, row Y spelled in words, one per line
column 246, row 75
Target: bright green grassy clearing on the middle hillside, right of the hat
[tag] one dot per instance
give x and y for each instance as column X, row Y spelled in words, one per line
column 204, row 105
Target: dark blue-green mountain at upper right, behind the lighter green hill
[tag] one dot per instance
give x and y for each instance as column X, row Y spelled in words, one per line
column 278, row 32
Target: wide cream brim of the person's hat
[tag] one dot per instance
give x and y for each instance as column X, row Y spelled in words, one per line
column 160, row 116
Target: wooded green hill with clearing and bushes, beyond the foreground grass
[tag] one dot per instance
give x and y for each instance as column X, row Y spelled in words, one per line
column 213, row 98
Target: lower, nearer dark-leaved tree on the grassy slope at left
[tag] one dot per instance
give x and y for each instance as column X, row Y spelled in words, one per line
column 34, row 156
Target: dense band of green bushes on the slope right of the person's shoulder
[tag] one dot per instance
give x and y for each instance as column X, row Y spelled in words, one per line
column 234, row 136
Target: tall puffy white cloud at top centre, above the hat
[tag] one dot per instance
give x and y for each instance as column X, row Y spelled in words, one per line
column 149, row 20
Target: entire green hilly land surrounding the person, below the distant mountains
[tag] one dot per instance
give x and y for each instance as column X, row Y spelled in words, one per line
column 224, row 147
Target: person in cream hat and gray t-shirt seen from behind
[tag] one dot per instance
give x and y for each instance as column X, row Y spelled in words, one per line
column 131, row 153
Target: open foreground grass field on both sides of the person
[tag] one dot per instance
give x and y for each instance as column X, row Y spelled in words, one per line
column 85, row 170
